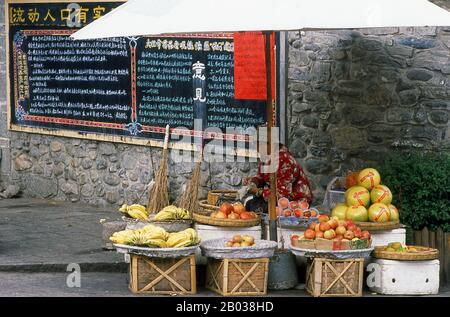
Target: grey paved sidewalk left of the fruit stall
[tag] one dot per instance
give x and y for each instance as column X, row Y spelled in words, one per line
column 45, row 236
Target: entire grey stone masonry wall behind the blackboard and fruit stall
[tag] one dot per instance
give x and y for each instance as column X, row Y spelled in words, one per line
column 353, row 96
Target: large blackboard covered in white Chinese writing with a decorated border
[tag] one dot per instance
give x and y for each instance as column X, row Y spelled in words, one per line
column 121, row 89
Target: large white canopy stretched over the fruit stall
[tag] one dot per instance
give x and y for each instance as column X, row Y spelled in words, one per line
column 153, row 17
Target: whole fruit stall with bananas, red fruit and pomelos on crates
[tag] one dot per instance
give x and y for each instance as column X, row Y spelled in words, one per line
column 336, row 245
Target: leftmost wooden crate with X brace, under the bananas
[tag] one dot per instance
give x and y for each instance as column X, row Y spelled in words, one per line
column 163, row 275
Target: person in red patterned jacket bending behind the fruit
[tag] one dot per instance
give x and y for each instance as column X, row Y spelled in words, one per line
column 292, row 183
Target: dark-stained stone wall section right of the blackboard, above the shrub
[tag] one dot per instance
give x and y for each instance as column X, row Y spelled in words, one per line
column 356, row 95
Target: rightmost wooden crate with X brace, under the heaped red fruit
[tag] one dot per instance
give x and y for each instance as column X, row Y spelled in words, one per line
column 335, row 278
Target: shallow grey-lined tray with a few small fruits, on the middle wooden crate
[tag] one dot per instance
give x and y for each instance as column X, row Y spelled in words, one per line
column 216, row 249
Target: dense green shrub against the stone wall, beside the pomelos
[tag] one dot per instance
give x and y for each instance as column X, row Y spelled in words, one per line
column 420, row 183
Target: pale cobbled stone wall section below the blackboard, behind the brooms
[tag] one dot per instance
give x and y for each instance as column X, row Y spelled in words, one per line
column 104, row 173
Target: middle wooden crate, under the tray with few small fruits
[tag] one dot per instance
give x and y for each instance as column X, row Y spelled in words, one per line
column 238, row 277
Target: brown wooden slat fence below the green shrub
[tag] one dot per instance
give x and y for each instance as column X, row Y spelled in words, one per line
column 439, row 240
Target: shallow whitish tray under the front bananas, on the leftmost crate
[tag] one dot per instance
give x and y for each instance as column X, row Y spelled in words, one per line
column 156, row 252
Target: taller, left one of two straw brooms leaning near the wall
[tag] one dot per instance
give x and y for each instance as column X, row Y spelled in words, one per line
column 159, row 193
